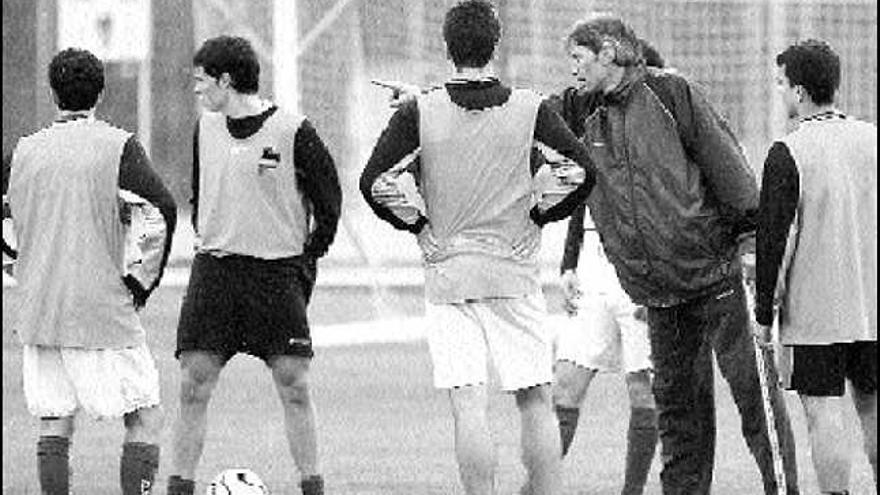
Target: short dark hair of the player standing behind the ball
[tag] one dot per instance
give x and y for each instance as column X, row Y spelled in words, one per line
column 232, row 55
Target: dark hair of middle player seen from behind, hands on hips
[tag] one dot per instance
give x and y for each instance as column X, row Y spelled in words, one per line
column 471, row 30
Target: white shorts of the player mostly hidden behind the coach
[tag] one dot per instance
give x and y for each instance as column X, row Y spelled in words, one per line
column 604, row 335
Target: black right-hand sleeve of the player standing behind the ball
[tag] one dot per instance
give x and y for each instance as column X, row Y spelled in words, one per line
column 320, row 185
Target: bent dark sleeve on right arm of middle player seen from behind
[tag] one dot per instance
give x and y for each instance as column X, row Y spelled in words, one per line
column 551, row 131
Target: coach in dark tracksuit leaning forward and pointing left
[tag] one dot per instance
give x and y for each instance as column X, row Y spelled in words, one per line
column 674, row 198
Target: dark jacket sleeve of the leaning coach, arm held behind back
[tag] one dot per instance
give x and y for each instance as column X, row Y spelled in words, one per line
column 711, row 144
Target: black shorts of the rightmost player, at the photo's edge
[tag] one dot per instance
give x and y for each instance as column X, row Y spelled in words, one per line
column 822, row 370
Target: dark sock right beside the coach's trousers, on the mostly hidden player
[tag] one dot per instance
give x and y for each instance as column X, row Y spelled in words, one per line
column 641, row 443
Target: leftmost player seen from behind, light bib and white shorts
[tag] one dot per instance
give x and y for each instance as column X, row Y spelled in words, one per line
column 84, row 347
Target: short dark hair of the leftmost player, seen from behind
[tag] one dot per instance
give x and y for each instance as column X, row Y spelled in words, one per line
column 77, row 79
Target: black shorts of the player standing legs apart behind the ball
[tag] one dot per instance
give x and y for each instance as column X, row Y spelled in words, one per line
column 242, row 304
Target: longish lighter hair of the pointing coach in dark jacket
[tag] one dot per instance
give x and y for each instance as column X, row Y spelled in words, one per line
column 593, row 32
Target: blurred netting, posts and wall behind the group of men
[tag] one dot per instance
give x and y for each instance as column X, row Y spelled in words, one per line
column 319, row 55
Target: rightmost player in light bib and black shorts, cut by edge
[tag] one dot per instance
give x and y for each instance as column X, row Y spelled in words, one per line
column 817, row 243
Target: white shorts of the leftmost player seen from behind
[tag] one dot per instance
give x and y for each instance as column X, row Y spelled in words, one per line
column 105, row 383
